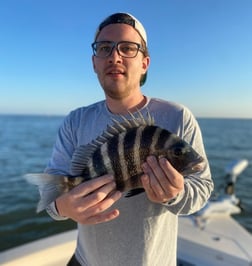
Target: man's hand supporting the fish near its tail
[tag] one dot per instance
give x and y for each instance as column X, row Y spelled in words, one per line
column 88, row 202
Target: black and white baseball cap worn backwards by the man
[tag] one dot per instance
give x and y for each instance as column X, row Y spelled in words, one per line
column 123, row 18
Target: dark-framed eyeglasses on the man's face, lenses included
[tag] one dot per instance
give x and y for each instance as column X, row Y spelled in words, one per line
column 125, row 49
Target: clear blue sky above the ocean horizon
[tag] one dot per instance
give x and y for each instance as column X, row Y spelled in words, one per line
column 201, row 54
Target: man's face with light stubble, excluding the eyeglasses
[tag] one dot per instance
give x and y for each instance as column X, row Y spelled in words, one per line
column 119, row 76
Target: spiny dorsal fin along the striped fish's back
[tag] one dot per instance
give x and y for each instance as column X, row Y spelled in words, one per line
column 83, row 153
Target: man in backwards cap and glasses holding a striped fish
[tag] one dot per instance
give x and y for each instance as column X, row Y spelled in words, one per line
column 114, row 230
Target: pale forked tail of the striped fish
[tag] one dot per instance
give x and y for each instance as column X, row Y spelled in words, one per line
column 56, row 185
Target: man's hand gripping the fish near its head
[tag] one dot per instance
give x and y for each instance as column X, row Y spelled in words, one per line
column 161, row 181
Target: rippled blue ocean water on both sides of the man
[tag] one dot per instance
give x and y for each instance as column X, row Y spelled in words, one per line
column 25, row 146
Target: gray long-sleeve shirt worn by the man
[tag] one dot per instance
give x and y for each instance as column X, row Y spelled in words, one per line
column 145, row 233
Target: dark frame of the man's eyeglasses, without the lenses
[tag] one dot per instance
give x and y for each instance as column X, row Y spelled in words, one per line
column 115, row 45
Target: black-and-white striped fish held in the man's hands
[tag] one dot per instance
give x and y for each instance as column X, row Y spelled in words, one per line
column 120, row 151
